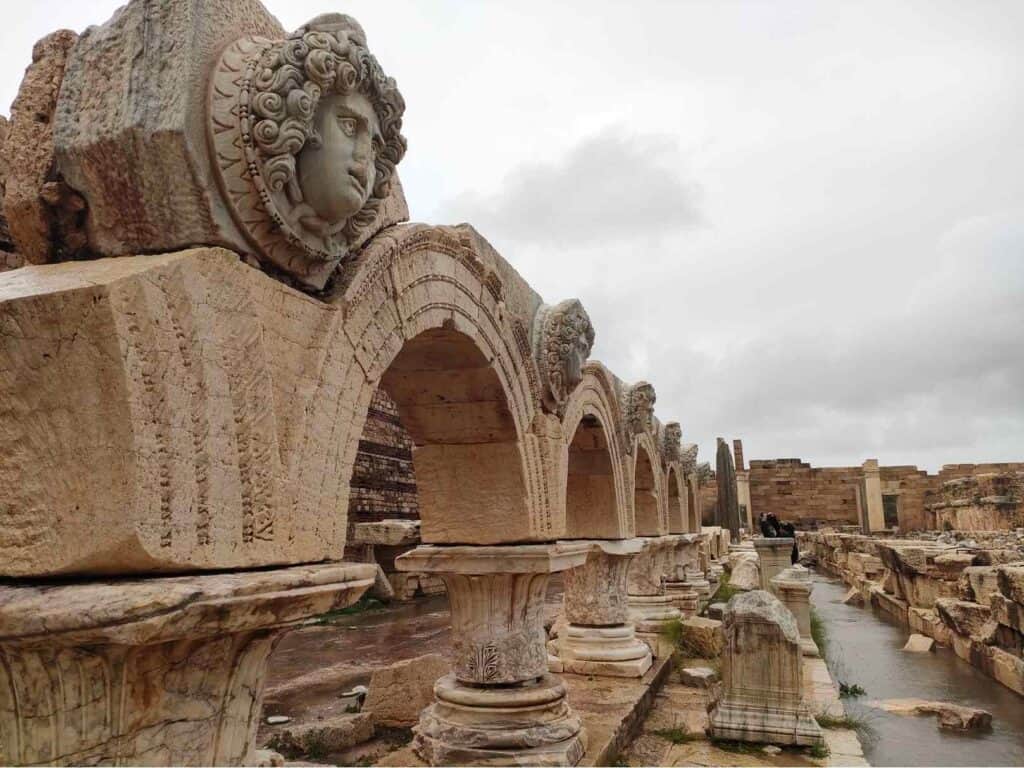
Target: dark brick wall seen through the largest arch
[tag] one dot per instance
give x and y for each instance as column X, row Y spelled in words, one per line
column 383, row 485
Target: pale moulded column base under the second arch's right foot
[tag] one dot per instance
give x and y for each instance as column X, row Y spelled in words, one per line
column 607, row 652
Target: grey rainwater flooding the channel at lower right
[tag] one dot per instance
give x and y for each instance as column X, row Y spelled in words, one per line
column 865, row 648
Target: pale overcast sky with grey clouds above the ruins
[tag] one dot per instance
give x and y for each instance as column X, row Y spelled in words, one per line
column 803, row 223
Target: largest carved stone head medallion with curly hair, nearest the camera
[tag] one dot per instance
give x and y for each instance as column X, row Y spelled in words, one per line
column 307, row 134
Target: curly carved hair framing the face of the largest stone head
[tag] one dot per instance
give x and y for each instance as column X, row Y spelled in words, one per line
column 328, row 56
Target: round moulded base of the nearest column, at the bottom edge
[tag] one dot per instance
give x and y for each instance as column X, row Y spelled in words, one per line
column 528, row 724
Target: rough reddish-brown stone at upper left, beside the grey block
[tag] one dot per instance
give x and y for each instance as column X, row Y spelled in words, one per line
column 28, row 155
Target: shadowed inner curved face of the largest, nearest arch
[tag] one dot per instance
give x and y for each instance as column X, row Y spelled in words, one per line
column 465, row 445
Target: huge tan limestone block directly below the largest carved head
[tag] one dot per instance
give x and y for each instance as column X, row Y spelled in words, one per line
column 202, row 401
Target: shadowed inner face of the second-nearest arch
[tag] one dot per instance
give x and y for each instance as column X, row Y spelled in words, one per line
column 590, row 492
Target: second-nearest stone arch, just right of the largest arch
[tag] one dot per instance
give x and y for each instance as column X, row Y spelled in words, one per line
column 594, row 486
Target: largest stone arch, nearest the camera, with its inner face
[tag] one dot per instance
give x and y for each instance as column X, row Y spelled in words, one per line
column 426, row 312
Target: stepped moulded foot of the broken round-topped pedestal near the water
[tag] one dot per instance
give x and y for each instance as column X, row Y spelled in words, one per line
column 739, row 720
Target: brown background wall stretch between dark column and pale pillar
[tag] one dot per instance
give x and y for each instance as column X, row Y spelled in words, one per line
column 807, row 496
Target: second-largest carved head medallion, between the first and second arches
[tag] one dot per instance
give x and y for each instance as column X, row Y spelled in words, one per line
column 564, row 337
